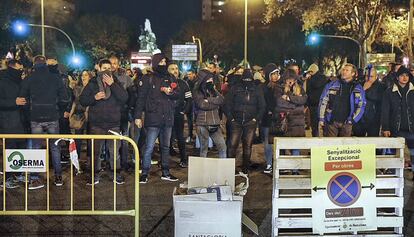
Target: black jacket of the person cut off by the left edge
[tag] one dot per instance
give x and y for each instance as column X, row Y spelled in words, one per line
column 10, row 113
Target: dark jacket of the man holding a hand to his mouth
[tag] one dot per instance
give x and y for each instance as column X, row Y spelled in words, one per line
column 104, row 113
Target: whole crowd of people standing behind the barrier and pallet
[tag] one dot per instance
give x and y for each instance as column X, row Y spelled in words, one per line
column 226, row 109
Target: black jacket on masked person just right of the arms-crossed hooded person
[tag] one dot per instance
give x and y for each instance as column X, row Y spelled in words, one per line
column 244, row 103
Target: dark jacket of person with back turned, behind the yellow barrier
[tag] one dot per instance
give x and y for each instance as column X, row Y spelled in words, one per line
column 46, row 94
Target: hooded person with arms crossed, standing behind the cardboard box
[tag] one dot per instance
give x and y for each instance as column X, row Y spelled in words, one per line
column 207, row 101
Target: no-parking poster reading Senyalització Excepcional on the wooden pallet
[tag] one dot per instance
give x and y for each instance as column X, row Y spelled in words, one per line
column 343, row 193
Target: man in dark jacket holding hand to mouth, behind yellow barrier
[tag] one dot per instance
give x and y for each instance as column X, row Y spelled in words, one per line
column 105, row 97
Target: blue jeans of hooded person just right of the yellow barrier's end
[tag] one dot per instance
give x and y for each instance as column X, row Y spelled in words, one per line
column 164, row 134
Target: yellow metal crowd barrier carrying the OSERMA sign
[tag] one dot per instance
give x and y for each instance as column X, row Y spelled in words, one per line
column 47, row 137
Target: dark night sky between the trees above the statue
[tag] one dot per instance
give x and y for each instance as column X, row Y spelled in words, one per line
column 166, row 16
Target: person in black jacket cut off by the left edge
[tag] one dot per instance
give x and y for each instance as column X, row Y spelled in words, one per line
column 11, row 121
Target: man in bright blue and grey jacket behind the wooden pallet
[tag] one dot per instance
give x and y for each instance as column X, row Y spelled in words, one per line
column 341, row 105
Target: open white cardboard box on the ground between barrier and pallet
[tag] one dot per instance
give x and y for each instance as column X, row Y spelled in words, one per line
column 194, row 216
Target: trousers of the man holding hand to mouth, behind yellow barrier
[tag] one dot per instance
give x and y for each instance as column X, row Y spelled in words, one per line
column 98, row 143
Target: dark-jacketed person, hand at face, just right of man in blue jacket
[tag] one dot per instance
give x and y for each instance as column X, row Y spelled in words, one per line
column 370, row 123
